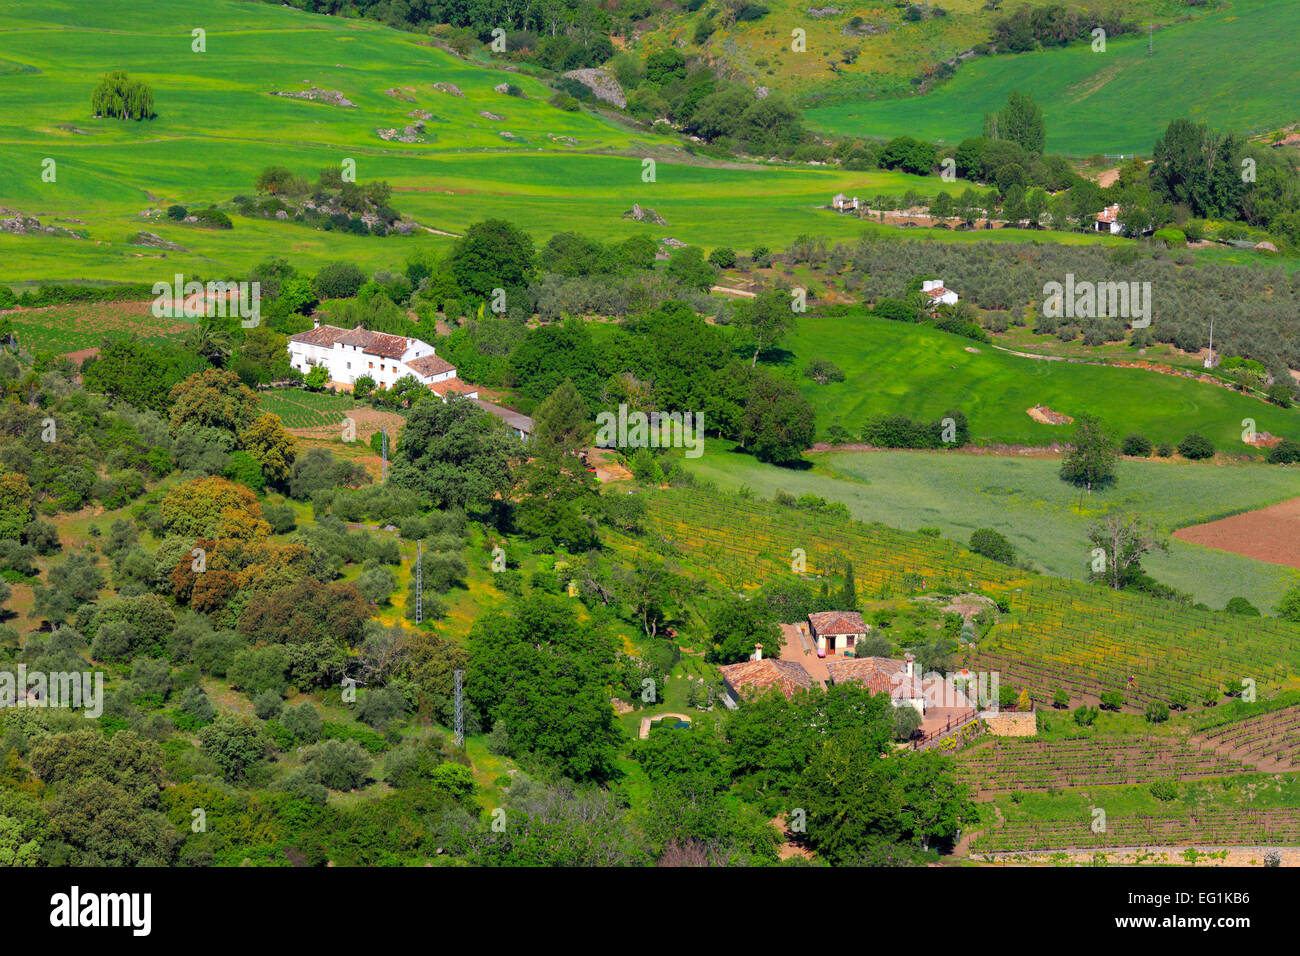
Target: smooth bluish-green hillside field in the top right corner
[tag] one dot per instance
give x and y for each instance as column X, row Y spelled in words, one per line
column 1090, row 101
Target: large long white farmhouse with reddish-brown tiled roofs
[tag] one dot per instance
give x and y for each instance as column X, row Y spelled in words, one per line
column 350, row 354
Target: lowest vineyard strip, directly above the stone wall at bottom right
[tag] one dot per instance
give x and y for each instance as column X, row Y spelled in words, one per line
column 1201, row 829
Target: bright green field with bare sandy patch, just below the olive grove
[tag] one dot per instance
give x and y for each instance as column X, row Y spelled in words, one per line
column 898, row 369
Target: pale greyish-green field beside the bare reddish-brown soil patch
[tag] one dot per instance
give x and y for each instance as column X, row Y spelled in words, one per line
column 1043, row 517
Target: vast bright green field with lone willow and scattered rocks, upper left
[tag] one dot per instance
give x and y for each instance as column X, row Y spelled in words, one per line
column 218, row 127
